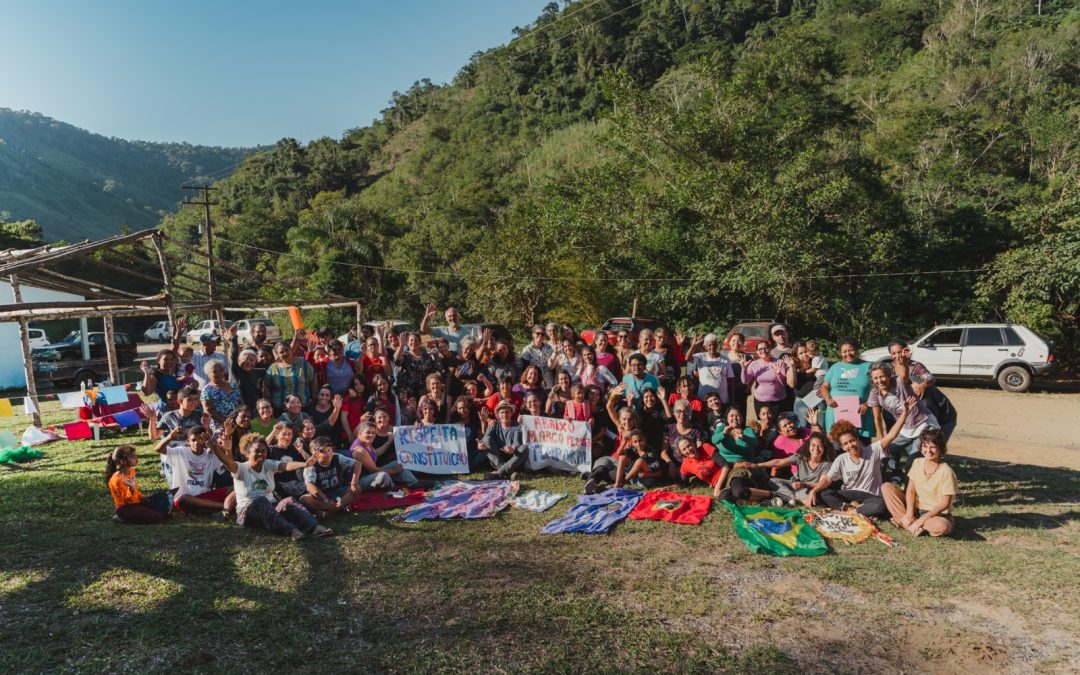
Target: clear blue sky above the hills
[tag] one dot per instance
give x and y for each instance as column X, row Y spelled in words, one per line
column 236, row 73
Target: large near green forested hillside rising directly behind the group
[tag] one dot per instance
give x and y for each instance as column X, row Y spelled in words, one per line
column 711, row 159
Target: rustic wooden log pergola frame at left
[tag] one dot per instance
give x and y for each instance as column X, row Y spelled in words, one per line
column 37, row 267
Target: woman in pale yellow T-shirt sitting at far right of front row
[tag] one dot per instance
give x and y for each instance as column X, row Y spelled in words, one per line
column 931, row 489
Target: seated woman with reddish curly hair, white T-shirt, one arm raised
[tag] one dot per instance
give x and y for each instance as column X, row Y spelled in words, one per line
column 859, row 469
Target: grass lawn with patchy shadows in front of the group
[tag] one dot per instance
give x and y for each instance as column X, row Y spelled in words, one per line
column 79, row 593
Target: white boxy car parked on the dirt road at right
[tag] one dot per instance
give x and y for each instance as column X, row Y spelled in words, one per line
column 1009, row 354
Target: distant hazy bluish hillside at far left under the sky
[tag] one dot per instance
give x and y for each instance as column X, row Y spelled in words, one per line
column 78, row 185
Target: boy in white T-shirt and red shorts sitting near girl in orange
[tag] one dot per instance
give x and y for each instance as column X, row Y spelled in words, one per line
column 194, row 470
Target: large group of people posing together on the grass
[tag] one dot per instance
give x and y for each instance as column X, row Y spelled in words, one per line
column 286, row 436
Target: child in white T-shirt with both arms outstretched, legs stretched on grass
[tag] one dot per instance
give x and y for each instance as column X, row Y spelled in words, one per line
column 256, row 505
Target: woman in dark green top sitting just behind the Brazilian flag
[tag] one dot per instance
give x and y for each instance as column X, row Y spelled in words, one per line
column 737, row 447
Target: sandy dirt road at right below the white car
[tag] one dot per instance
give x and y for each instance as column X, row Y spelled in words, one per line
column 1041, row 429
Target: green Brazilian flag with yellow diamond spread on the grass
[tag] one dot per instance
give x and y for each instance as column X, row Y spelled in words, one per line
column 776, row 532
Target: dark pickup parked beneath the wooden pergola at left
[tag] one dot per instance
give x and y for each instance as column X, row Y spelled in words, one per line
column 63, row 364
